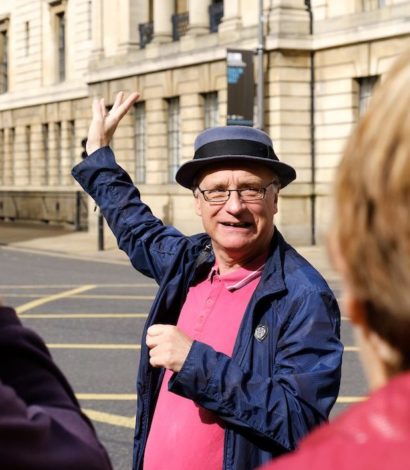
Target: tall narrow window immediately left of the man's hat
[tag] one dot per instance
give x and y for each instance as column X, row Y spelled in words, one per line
column 174, row 138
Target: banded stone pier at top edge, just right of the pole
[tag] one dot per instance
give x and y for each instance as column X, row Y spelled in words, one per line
column 288, row 17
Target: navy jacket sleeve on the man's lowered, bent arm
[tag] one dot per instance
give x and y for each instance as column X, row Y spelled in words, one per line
column 296, row 394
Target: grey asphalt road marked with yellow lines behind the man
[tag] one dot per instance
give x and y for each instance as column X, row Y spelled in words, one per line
column 91, row 315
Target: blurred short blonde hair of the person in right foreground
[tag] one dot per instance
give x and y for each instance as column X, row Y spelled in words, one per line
column 372, row 216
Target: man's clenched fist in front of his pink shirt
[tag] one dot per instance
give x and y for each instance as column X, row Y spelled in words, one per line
column 169, row 346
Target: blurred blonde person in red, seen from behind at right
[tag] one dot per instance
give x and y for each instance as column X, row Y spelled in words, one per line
column 370, row 246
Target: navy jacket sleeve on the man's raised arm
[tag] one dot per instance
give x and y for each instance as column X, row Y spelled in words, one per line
column 149, row 244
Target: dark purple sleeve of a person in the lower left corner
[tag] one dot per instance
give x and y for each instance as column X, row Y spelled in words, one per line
column 41, row 424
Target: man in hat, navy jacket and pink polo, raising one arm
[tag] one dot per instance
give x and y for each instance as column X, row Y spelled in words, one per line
column 241, row 354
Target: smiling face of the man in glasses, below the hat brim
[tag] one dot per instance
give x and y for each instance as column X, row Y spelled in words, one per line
column 238, row 229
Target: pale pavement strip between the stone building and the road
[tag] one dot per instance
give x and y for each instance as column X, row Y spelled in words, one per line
column 65, row 241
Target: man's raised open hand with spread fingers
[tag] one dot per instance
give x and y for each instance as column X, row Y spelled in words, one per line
column 103, row 123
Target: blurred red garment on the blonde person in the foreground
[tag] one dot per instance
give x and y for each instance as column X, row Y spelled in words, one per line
column 372, row 435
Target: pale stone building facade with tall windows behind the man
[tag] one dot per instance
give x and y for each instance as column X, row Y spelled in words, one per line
column 322, row 59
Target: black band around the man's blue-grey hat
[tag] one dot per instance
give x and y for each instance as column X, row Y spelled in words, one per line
column 235, row 147
